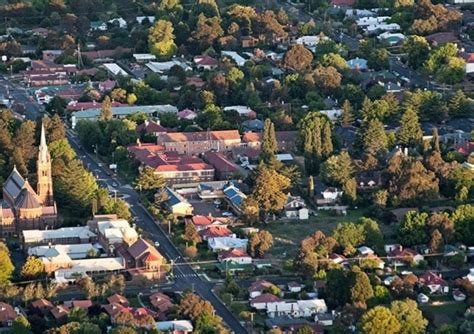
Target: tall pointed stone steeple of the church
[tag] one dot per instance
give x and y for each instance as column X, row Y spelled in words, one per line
column 45, row 182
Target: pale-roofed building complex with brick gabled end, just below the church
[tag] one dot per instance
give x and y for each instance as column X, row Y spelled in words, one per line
column 106, row 245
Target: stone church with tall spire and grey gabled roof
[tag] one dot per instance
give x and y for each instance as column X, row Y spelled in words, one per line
column 23, row 208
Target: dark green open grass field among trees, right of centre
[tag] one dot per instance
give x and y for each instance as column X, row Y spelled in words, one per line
column 288, row 234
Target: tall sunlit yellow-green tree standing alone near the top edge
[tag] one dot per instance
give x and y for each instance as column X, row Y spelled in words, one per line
column 161, row 39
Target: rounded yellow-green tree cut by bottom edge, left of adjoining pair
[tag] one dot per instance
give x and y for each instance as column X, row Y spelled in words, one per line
column 379, row 320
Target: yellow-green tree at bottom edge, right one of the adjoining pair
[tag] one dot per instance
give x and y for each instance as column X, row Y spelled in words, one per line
column 409, row 316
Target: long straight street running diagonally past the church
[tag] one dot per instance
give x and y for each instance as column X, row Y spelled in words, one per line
column 184, row 275
